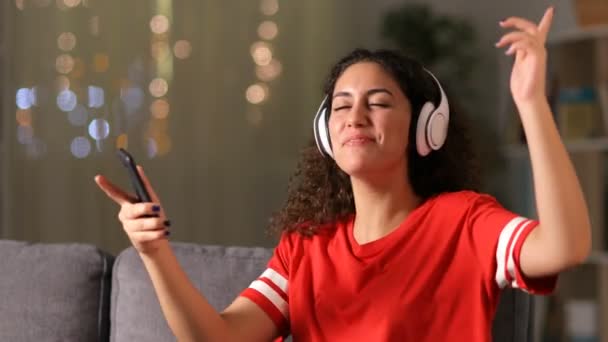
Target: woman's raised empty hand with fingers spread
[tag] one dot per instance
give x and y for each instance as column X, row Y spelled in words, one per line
column 527, row 42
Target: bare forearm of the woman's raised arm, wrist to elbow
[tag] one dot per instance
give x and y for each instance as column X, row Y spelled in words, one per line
column 560, row 203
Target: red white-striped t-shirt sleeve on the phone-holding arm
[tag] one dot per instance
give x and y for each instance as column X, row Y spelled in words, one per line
column 270, row 290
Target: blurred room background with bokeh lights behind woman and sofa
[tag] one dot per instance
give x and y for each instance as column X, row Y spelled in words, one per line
column 215, row 99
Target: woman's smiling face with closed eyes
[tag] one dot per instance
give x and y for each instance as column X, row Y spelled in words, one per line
column 369, row 121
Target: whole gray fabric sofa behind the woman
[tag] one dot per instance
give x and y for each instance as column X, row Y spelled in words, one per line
column 76, row 292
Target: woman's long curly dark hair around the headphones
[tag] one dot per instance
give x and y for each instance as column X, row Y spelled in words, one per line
column 319, row 192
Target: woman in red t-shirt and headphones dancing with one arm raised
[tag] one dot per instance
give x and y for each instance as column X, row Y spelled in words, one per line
column 383, row 238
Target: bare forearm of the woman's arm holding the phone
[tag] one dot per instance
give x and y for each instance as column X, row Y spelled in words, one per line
column 189, row 315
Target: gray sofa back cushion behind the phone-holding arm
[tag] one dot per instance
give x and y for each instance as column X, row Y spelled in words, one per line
column 220, row 273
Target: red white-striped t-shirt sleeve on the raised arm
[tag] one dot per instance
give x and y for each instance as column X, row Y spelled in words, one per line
column 498, row 236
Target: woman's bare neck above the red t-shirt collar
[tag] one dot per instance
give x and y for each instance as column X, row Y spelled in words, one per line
column 381, row 204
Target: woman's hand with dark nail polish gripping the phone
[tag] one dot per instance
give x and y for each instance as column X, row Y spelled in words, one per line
column 145, row 223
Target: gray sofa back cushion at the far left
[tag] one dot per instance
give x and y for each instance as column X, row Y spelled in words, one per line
column 54, row 292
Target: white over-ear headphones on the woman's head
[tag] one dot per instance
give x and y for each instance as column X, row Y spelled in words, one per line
column 431, row 132
